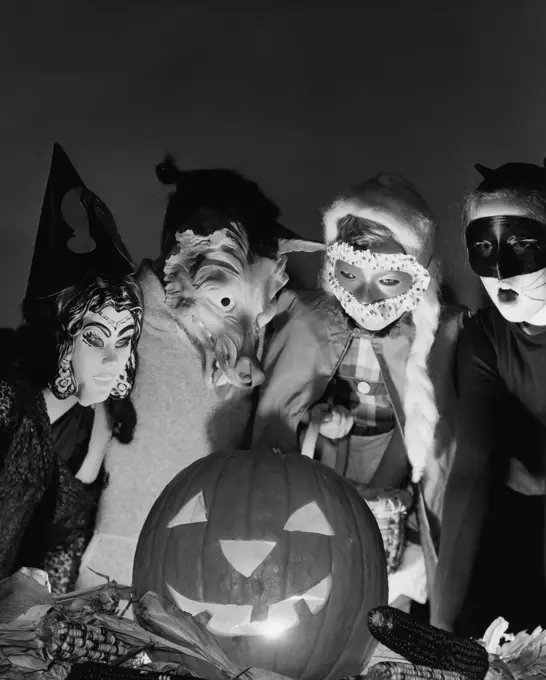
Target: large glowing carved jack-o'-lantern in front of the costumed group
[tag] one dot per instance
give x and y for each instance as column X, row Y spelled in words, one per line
column 275, row 554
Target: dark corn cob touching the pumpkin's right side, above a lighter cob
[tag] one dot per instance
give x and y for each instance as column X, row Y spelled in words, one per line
column 426, row 645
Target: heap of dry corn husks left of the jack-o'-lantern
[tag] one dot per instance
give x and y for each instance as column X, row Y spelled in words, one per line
column 187, row 646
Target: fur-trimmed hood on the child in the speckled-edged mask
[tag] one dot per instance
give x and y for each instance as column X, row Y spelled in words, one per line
column 393, row 202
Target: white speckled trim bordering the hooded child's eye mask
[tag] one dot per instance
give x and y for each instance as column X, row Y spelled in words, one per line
column 376, row 315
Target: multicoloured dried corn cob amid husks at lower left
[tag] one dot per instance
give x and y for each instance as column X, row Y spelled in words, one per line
column 71, row 641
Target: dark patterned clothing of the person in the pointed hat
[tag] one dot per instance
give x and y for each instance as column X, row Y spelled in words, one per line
column 47, row 515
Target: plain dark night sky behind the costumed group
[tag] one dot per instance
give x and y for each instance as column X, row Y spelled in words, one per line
column 306, row 98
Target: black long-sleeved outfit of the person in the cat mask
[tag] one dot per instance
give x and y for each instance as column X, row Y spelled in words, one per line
column 492, row 551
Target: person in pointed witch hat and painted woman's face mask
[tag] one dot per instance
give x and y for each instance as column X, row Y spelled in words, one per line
column 65, row 380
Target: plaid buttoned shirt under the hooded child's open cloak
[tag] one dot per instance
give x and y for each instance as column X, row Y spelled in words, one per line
column 372, row 411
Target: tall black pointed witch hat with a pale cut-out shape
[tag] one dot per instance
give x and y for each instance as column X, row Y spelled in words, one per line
column 77, row 234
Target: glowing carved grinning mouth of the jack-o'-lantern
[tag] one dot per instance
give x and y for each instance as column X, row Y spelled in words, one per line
column 232, row 619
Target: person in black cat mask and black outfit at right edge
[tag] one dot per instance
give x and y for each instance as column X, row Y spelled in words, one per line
column 491, row 560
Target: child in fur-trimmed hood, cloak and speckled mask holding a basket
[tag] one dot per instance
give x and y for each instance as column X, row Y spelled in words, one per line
column 375, row 358
